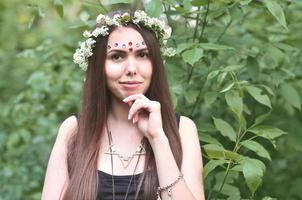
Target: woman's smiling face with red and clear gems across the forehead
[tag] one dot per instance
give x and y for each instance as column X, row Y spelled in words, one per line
column 128, row 67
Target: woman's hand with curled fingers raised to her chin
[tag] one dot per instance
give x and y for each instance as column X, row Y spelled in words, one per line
column 146, row 114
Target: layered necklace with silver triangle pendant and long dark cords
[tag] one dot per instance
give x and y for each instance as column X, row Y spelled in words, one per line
column 125, row 160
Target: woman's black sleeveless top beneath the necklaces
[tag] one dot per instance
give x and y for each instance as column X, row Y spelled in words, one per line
column 121, row 183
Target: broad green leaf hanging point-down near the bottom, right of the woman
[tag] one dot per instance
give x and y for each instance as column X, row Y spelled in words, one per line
column 253, row 171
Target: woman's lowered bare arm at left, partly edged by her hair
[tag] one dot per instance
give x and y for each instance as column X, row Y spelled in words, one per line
column 56, row 176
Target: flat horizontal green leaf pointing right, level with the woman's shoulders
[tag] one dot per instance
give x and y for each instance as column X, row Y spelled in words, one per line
column 267, row 132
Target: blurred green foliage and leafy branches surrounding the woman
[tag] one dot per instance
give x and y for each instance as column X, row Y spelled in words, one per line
column 237, row 73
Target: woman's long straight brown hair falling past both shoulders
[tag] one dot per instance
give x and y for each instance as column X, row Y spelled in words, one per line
column 83, row 148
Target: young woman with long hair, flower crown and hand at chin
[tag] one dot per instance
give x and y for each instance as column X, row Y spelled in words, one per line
column 127, row 142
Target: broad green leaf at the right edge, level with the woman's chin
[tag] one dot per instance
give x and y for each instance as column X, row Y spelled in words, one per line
column 291, row 95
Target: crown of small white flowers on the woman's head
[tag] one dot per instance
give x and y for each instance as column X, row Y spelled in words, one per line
column 161, row 30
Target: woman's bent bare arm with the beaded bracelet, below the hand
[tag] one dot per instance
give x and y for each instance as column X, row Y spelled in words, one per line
column 191, row 186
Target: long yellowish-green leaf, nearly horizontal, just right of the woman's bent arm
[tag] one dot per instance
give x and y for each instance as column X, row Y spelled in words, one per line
column 218, row 152
